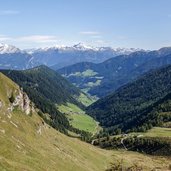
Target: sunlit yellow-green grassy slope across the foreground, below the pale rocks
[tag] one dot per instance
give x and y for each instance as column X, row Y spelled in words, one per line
column 23, row 148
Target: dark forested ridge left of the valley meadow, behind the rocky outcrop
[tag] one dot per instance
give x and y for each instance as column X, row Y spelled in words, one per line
column 46, row 89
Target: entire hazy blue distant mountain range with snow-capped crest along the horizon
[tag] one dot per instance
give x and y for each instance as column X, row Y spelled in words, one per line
column 57, row 56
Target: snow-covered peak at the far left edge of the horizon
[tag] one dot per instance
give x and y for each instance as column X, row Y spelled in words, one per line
column 5, row 48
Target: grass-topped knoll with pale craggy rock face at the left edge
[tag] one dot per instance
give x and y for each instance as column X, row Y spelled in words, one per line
column 12, row 96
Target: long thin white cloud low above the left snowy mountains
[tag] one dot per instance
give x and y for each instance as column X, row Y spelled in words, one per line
column 38, row 39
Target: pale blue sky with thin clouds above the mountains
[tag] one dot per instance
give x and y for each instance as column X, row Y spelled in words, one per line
column 117, row 23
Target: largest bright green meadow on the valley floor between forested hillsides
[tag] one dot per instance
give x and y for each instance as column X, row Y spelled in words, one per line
column 78, row 118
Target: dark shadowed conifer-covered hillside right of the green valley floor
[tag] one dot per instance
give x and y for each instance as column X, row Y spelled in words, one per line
column 137, row 106
